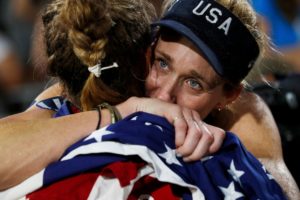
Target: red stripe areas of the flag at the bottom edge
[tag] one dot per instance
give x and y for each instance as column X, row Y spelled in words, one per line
column 80, row 186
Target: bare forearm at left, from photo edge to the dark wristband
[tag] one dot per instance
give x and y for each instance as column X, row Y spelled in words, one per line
column 27, row 146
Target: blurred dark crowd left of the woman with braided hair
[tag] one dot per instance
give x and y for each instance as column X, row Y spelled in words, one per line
column 21, row 54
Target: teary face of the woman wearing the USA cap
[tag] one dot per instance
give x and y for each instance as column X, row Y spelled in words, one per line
column 180, row 75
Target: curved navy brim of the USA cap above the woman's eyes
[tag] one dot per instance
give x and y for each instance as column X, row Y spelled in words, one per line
column 202, row 47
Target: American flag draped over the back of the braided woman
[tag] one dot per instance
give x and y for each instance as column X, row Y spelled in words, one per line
column 135, row 159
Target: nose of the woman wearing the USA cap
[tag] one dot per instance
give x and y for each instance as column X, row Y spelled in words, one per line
column 167, row 89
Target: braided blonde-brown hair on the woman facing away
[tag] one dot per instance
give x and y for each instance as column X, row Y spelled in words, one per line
column 83, row 33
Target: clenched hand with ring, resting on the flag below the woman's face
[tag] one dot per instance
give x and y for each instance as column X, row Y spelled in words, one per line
column 194, row 138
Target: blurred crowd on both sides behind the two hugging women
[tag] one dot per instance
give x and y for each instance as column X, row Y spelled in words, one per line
column 22, row 60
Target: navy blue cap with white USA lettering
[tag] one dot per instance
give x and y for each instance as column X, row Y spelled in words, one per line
column 219, row 35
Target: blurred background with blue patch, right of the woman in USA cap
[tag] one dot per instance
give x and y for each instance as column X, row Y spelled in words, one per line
column 280, row 19
